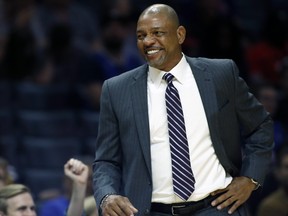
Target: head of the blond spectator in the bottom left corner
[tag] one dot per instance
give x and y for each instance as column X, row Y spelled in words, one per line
column 16, row 200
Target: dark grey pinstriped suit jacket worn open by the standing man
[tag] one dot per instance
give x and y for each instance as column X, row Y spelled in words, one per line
column 237, row 121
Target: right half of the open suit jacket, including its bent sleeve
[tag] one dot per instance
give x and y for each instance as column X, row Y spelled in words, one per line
column 240, row 128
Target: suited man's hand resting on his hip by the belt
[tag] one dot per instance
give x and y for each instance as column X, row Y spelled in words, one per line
column 235, row 194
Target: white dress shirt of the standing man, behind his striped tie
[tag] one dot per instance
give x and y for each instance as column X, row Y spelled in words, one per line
column 209, row 173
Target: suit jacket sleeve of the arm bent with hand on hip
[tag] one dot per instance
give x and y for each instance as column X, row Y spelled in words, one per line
column 256, row 128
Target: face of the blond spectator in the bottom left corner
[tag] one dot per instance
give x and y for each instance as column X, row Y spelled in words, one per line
column 21, row 205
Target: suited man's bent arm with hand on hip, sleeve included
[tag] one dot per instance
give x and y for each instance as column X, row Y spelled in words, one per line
column 257, row 132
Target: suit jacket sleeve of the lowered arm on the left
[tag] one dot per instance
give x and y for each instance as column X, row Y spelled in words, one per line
column 106, row 167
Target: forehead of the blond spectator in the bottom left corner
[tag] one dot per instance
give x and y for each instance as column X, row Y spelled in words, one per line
column 20, row 200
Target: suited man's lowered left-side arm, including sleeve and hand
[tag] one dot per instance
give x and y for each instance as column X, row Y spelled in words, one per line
column 108, row 161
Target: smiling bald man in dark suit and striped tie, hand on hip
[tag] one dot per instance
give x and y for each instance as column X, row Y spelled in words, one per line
column 134, row 170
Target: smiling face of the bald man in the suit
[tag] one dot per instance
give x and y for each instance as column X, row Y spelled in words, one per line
column 159, row 40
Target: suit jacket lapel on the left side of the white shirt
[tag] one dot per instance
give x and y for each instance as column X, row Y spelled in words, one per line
column 140, row 110
